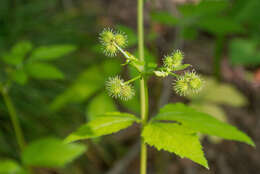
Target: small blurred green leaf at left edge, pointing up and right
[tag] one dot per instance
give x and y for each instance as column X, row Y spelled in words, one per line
column 17, row 53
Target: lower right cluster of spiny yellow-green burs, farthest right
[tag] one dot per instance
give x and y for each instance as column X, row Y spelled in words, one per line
column 190, row 82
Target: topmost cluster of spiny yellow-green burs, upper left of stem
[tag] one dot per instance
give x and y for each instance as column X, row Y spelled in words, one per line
column 112, row 41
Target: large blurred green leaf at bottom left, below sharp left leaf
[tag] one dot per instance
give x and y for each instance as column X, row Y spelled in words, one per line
column 51, row 152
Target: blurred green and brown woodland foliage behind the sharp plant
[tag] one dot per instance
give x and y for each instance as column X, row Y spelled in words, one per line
column 50, row 50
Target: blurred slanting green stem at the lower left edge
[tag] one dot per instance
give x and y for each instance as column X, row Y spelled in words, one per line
column 15, row 122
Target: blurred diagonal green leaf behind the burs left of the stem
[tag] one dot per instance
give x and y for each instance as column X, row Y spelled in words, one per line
column 82, row 89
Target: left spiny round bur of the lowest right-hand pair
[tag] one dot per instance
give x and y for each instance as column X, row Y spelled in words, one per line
column 181, row 86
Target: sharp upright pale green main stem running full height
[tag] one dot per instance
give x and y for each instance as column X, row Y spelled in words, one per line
column 143, row 84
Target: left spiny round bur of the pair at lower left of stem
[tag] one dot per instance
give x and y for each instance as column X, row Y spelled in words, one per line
column 114, row 86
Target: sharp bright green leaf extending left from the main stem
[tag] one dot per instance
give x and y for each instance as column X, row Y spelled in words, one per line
column 103, row 125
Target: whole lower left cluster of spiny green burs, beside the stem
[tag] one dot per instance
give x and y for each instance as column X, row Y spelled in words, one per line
column 117, row 88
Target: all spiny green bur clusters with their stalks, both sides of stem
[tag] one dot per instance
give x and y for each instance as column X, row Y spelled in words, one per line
column 115, row 41
